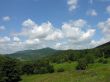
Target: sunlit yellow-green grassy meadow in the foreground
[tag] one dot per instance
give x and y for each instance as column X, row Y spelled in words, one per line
column 95, row 73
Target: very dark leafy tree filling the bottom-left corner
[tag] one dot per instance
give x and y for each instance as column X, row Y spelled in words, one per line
column 9, row 71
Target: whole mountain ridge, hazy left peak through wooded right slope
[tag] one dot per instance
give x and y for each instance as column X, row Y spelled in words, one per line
column 60, row 55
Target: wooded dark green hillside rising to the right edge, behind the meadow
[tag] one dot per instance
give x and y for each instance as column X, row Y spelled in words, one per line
column 73, row 55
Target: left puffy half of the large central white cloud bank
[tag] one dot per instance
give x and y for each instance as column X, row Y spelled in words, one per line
column 32, row 30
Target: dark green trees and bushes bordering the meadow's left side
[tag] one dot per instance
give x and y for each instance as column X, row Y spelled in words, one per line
column 11, row 70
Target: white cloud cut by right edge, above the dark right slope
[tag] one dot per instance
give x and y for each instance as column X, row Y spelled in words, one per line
column 104, row 26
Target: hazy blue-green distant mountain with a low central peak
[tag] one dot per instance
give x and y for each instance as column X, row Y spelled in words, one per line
column 33, row 54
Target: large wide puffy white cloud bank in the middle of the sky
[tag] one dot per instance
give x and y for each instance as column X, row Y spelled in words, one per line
column 47, row 31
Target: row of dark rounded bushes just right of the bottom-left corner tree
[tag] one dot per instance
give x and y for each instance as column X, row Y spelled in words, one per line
column 39, row 67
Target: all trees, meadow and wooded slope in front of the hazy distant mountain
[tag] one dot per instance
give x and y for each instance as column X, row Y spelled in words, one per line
column 90, row 65
